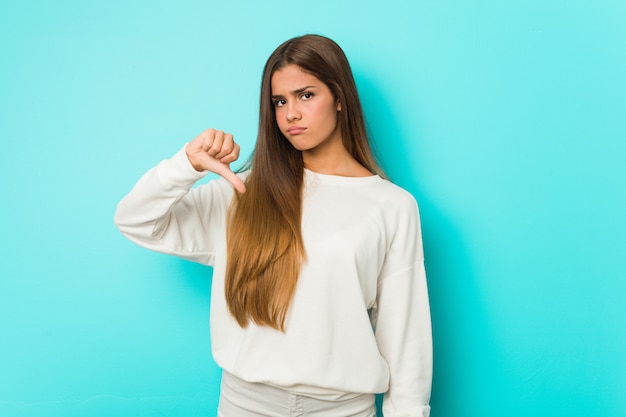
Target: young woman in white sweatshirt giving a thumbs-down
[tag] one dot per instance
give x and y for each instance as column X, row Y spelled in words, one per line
column 319, row 297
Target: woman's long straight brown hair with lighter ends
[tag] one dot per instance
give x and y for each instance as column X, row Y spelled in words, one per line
column 265, row 250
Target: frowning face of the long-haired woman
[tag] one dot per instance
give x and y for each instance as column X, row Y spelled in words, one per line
column 306, row 111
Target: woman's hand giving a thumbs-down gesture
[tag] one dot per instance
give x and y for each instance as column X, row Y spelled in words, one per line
column 213, row 150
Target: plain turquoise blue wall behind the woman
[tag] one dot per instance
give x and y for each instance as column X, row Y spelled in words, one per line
column 505, row 119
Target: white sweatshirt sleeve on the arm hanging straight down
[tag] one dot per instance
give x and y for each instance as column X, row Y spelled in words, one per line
column 402, row 325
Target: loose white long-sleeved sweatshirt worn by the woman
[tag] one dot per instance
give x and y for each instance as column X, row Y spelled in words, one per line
column 359, row 321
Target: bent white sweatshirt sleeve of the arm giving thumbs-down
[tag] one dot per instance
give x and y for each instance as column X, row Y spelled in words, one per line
column 163, row 213
